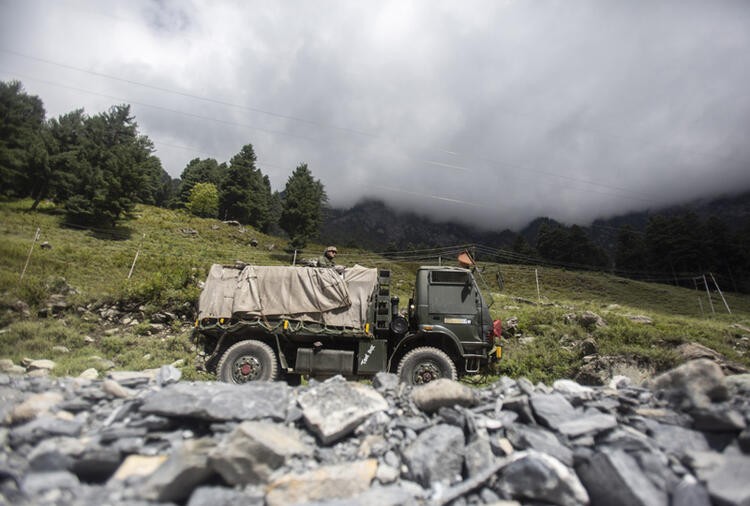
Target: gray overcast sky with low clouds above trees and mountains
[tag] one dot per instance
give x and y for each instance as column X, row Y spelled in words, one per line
column 489, row 112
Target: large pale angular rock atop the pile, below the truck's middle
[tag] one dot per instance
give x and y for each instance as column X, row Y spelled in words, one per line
column 333, row 409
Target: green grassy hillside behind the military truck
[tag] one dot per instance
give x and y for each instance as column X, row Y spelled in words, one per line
column 175, row 251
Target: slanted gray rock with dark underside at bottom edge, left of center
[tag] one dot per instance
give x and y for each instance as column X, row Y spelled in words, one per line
column 184, row 470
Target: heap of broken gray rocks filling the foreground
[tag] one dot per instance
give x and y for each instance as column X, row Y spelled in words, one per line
column 150, row 439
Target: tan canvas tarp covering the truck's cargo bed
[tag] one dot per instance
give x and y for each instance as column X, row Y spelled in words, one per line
column 300, row 293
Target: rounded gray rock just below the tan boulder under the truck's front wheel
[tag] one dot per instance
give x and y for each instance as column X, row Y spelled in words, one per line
column 437, row 455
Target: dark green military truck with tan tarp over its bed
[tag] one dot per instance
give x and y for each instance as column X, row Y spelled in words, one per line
column 283, row 322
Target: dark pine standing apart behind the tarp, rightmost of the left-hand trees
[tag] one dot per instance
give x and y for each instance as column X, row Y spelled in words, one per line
column 302, row 213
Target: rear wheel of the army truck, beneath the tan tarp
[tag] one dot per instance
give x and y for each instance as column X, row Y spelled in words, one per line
column 248, row 361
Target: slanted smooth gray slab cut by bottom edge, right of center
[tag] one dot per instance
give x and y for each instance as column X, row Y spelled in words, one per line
column 613, row 477
